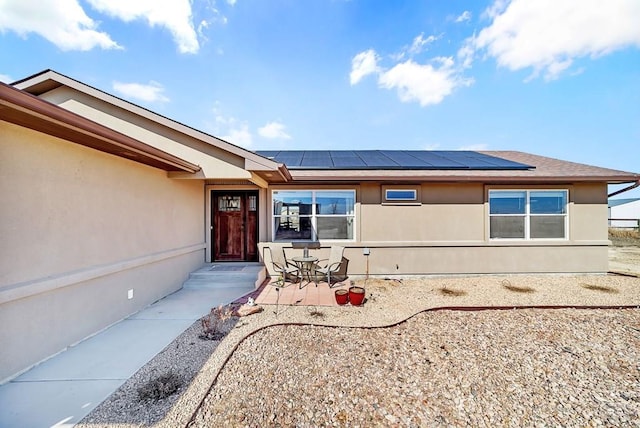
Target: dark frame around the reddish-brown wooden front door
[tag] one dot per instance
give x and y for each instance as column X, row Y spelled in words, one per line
column 212, row 193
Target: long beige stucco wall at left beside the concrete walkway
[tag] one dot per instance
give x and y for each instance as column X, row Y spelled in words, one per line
column 79, row 228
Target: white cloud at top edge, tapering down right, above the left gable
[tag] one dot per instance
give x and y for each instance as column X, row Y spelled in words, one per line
column 174, row 15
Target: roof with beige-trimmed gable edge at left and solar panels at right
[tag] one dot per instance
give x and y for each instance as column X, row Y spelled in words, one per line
column 359, row 165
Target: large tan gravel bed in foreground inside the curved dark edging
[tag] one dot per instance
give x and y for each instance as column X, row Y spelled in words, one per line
column 446, row 368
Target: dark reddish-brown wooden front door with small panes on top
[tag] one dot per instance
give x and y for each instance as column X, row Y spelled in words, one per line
column 235, row 226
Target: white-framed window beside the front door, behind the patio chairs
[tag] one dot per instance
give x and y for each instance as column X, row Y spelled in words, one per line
column 313, row 214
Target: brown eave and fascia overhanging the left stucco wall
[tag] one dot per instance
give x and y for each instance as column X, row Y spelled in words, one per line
column 21, row 108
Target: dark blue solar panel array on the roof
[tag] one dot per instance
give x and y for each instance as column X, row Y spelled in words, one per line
column 390, row 159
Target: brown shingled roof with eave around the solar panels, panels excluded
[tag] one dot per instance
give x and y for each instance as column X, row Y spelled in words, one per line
column 546, row 170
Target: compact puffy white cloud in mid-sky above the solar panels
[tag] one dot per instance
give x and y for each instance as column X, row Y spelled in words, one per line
column 425, row 83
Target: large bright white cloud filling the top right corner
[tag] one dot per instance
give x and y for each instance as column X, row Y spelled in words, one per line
column 548, row 35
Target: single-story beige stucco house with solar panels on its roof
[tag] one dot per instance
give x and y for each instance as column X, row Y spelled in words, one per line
column 100, row 195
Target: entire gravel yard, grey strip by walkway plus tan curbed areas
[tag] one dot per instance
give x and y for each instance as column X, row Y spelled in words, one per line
column 490, row 368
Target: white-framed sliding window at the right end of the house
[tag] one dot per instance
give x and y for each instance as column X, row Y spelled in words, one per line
column 528, row 214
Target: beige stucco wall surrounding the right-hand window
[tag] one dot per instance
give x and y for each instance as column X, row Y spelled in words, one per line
column 447, row 233
